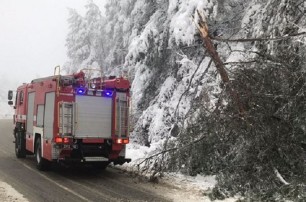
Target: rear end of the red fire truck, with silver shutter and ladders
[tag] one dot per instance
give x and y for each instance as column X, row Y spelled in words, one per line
column 94, row 127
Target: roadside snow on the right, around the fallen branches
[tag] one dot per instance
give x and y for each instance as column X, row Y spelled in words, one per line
column 179, row 187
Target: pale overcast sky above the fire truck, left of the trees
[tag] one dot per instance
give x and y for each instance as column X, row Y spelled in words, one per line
column 32, row 37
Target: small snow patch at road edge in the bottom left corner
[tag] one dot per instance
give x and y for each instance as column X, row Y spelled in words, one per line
column 9, row 194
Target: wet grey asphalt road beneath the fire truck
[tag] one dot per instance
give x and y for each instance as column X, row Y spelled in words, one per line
column 68, row 184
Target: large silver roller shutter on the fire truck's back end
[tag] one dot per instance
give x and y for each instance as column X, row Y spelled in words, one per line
column 94, row 116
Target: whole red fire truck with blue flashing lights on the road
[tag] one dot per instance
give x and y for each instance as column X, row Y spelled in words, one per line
column 72, row 119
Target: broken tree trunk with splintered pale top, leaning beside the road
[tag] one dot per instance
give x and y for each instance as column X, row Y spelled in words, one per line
column 203, row 30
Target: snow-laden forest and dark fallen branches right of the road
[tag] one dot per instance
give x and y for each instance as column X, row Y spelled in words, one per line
column 180, row 104
